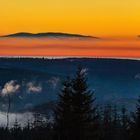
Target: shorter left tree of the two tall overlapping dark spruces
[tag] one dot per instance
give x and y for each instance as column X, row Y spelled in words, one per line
column 63, row 113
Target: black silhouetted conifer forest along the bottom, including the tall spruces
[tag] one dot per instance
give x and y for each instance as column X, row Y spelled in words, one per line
column 77, row 117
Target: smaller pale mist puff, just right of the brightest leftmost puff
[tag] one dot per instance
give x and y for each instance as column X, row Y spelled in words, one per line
column 32, row 87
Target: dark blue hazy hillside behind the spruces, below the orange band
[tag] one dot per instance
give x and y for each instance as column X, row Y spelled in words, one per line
column 115, row 81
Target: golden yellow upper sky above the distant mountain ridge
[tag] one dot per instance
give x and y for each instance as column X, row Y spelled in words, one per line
column 93, row 17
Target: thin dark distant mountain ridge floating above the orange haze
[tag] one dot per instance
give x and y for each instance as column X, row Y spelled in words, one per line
column 48, row 34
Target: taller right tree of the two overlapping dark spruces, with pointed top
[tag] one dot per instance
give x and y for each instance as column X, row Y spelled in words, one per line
column 84, row 111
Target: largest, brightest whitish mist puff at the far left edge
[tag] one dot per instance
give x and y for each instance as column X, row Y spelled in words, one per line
column 10, row 87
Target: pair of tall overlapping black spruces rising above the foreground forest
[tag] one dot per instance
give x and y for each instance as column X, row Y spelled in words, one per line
column 76, row 117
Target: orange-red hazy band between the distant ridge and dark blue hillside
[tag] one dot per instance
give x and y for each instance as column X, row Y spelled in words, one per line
column 70, row 47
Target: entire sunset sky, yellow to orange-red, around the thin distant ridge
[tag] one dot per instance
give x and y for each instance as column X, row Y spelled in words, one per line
column 116, row 22
